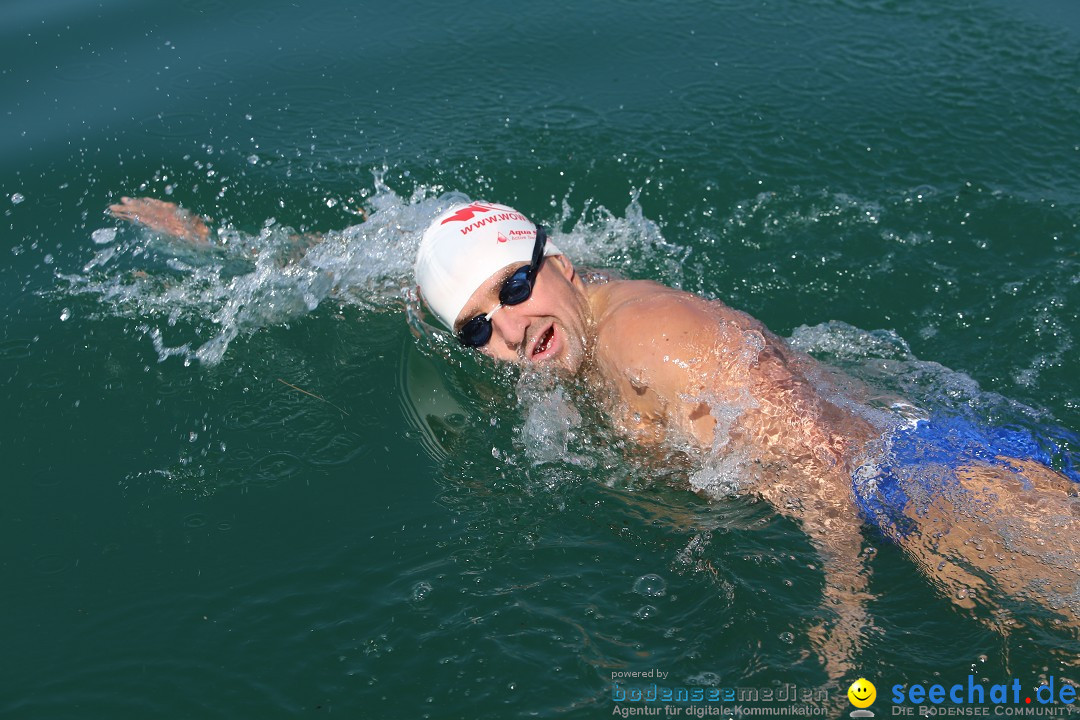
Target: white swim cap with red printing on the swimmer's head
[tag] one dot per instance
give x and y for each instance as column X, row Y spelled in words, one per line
column 465, row 247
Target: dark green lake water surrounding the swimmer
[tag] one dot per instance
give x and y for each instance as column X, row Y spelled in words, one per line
column 897, row 185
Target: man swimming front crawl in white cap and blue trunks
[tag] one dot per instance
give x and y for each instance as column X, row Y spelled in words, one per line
column 680, row 371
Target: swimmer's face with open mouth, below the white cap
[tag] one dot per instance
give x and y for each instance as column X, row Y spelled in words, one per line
column 551, row 328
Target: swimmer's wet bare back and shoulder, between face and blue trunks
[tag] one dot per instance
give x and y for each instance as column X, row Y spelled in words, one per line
column 674, row 357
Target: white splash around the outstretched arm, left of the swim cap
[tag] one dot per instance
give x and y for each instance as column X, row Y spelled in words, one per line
column 242, row 282
